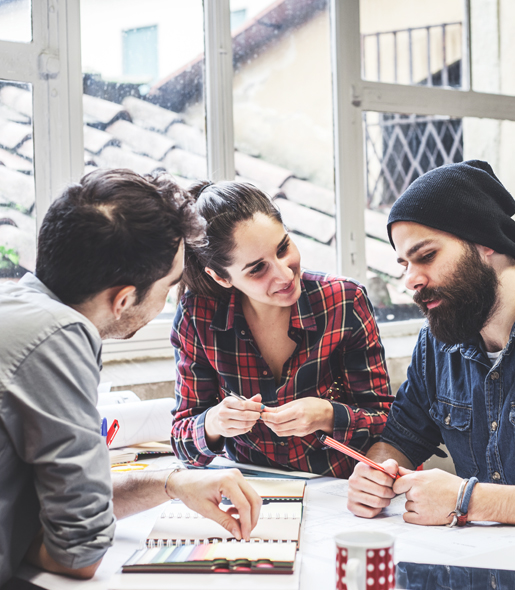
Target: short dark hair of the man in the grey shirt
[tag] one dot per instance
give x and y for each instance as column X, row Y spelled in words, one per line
column 113, row 228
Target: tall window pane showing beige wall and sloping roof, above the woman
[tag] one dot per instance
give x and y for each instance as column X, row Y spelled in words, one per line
column 283, row 119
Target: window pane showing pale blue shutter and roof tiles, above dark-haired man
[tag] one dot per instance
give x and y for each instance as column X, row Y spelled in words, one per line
column 143, row 87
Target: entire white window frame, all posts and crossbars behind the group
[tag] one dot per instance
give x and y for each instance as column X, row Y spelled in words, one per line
column 52, row 64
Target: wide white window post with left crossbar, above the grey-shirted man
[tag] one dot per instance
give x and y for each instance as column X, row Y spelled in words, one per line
column 51, row 63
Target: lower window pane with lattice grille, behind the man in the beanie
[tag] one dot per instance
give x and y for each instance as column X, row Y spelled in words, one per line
column 400, row 148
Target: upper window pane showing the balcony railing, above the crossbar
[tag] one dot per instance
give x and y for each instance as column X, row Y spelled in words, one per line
column 407, row 46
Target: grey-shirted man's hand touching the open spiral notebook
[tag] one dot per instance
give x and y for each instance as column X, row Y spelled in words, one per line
column 202, row 491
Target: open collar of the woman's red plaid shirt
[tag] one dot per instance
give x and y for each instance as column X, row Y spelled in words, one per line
column 230, row 311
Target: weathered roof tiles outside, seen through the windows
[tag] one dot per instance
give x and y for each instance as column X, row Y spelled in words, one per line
column 148, row 138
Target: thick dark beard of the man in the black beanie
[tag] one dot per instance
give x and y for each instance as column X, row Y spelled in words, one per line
column 469, row 299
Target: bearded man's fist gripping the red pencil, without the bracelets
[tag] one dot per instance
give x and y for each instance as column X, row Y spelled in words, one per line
column 371, row 490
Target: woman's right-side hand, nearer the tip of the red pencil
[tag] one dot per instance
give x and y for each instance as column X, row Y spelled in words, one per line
column 300, row 417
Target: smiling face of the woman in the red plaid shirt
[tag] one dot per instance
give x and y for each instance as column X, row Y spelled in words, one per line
column 266, row 263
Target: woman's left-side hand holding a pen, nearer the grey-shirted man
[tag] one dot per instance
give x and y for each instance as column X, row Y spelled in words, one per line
column 231, row 417
